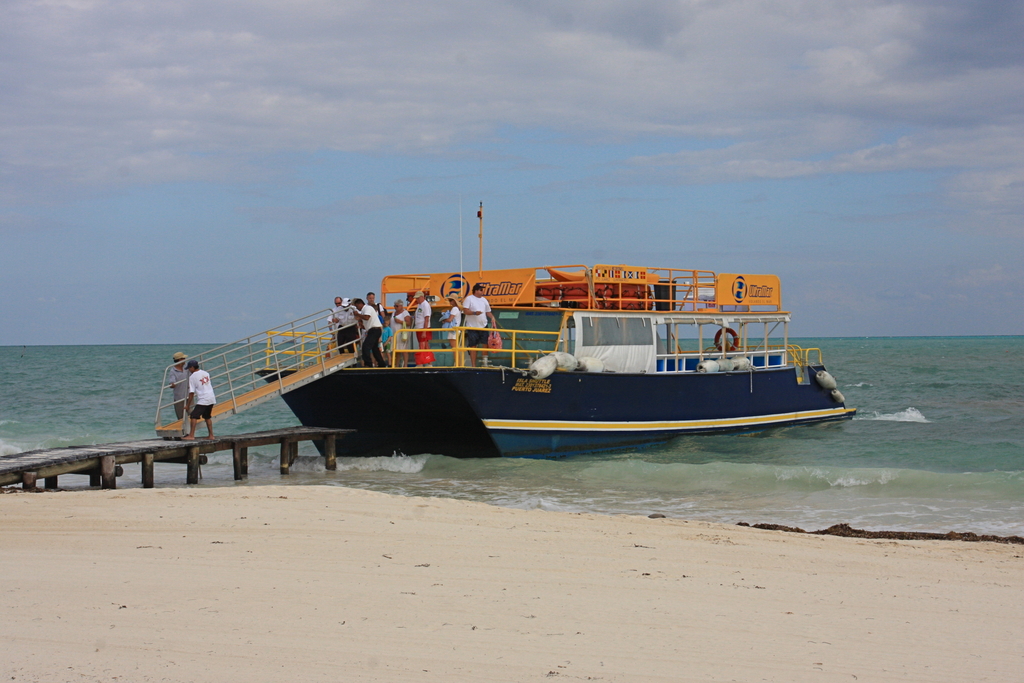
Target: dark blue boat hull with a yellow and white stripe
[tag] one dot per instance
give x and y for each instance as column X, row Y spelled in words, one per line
column 477, row 413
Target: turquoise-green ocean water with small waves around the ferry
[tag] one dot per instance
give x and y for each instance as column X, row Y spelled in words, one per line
column 938, row 444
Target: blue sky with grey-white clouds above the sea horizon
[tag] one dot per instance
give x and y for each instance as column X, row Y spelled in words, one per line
column 198, row 172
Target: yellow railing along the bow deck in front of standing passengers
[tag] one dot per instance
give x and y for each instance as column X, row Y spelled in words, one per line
column 513, row 347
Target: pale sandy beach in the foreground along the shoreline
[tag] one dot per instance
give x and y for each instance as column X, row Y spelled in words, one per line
column 331, row 584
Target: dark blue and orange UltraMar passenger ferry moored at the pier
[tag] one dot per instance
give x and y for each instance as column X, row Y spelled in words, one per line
column 677, row 352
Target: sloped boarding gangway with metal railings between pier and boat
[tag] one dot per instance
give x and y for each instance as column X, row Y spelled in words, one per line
column 251, row 371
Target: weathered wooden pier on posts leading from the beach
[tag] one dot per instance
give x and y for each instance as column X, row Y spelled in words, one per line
column 104, row 463
